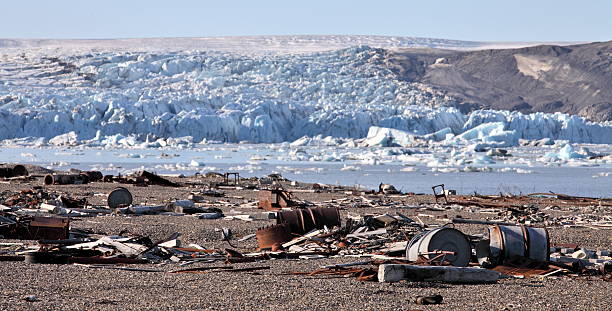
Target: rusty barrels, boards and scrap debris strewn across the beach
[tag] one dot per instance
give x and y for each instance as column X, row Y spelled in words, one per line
column 390, row 246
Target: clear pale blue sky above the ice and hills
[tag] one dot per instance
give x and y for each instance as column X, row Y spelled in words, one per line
column 478, row 20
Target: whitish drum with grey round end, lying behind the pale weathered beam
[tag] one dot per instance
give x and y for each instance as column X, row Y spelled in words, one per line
column 441, row 239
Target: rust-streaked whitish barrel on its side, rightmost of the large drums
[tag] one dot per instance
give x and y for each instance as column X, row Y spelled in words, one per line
column 513, row 243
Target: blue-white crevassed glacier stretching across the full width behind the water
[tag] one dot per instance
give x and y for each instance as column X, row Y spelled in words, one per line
column 155, row 99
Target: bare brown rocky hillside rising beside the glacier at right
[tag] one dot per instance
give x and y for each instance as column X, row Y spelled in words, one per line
column 573, row 79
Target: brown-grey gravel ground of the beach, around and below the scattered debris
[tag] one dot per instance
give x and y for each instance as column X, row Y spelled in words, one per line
column 75, row 287
